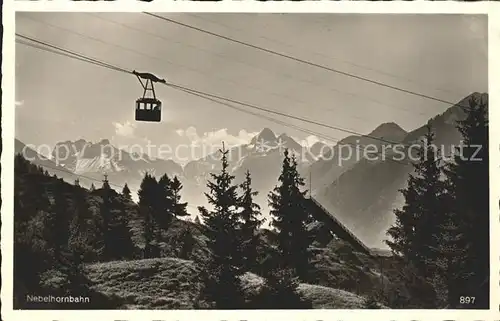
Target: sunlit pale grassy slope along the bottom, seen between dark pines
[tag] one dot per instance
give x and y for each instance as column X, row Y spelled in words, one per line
column 169, row 283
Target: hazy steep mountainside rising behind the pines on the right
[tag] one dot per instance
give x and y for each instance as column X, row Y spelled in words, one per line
column 365, row 194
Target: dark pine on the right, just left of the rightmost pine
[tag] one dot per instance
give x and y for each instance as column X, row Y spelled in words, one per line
column 417, row 231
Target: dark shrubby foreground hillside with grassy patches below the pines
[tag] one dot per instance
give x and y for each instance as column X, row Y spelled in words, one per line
column 340, row 277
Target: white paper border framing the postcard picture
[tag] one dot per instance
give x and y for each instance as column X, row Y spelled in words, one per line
column 8, row 71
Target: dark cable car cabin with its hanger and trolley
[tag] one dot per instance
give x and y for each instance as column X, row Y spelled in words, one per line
column 148, row 108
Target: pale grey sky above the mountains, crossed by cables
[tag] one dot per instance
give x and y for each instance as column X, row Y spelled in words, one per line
column 60, row 99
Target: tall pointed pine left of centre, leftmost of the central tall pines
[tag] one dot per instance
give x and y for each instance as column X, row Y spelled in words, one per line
column 221, row 284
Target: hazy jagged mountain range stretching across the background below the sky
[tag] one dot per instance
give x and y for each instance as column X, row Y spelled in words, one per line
column 361, row 192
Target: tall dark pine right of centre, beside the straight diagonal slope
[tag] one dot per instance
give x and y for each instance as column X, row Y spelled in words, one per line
column 290, row 217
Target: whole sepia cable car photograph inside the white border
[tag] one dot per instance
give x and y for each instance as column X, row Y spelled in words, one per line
column 251, row 161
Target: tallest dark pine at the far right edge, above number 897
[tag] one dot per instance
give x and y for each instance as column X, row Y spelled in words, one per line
column 468, row 226
